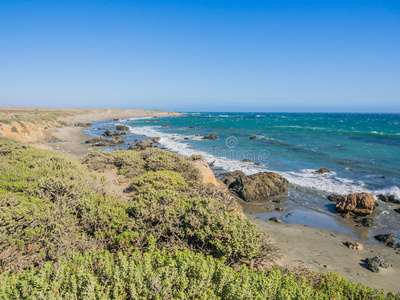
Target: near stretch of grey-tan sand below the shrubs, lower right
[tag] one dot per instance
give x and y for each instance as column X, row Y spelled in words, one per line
column 323, row 250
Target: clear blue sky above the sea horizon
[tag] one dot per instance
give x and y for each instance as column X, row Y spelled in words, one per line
column 202, row 55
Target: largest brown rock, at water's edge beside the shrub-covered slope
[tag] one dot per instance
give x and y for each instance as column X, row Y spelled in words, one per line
column 259, row 186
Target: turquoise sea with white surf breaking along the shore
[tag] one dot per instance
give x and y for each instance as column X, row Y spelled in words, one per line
column 358, row 149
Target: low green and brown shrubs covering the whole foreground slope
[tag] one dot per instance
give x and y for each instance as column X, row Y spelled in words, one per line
column 65, row 233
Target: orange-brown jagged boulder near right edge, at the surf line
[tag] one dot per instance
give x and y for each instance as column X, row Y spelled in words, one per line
column 360, row 204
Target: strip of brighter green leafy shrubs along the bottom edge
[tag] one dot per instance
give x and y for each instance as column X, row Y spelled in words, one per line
column 160, row 275
